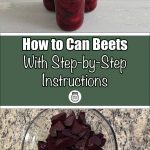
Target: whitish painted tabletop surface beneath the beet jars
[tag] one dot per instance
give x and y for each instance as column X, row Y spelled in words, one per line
column 110, row 16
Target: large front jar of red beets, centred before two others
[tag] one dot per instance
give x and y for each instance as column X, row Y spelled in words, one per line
column 69, row 13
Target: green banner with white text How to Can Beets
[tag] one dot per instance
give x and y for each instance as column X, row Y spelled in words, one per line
column 105, row 70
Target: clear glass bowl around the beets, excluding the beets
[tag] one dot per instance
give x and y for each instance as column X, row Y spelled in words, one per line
column 39, row 128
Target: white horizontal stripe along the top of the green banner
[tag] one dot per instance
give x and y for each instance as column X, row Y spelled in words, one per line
column 75, row 34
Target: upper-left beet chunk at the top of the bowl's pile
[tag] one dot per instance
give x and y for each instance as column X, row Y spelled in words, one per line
column 59, row 117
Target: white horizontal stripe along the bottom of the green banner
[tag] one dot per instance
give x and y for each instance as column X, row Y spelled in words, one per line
column 74, row 107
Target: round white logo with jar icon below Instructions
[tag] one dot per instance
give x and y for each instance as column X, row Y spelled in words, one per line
column 75, row 96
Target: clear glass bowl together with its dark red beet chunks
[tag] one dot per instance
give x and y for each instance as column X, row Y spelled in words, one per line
column 59, row 129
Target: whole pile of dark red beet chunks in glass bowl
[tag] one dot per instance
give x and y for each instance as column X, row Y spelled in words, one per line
column 71, row 133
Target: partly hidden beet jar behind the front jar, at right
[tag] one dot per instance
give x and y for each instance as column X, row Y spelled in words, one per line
column 90, row 5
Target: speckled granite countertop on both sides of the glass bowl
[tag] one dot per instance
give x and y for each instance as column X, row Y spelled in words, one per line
column 132, row 127
